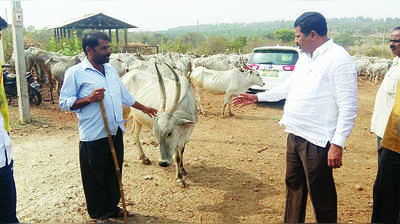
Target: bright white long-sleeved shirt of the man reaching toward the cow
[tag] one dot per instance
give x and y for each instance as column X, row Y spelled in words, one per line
column 322, row 96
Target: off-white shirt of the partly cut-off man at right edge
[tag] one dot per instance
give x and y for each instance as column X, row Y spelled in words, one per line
column 384, row 100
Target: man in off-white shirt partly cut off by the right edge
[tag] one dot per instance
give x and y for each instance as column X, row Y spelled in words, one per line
column 387, row 91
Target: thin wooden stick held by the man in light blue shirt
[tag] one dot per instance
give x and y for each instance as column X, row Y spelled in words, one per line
column 103, row 113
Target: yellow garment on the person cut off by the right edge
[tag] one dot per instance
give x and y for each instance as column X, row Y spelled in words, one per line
column 391, row 138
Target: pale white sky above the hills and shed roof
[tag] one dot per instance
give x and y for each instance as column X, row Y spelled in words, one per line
column 154, row 15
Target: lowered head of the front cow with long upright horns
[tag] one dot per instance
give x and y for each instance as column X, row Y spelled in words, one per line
column 170, row 126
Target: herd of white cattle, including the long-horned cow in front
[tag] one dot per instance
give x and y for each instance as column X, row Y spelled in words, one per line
column 168, row 82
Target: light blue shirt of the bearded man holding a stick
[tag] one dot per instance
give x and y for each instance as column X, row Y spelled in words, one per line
column 80, row 80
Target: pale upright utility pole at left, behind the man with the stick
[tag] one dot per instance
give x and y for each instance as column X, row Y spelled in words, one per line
column 22, row 86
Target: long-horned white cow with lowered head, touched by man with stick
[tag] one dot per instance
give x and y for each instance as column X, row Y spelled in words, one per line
column 176, row 117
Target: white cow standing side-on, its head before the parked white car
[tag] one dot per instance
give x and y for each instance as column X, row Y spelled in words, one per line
column 231, row 83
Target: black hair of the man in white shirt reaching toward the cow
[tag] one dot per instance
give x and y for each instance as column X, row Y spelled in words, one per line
column 309, row 21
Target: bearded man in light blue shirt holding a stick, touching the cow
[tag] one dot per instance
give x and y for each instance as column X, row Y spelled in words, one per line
column 85, row 84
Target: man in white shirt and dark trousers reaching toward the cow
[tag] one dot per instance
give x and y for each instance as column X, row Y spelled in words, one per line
column 319, row 114
